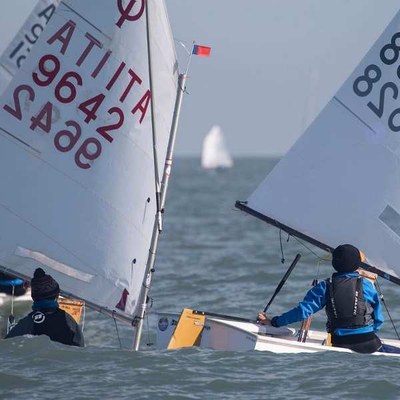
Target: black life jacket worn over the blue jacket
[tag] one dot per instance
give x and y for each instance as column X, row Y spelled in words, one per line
column 345, row 304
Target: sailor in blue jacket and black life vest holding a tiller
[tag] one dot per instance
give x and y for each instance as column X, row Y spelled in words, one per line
column 351, row 303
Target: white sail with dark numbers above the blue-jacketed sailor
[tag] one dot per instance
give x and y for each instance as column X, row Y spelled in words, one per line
column 340, row 182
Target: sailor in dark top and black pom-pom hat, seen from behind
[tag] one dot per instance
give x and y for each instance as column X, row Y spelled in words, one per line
column 47, row 318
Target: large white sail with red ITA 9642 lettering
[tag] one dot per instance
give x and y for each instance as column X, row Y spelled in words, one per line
column 76, row 150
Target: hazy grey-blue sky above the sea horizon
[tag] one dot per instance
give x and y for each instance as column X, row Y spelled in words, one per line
column 274, row 64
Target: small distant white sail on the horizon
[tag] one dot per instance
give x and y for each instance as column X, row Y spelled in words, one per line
column 215, row 153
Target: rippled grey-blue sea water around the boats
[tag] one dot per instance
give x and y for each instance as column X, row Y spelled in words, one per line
column 211, row 257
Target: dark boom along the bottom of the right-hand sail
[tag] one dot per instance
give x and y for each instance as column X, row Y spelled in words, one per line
column 241, row 205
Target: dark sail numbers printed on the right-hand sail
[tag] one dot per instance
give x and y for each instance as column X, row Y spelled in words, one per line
column 364, row 84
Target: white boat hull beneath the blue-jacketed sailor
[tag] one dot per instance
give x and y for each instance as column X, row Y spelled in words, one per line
column 230, row 335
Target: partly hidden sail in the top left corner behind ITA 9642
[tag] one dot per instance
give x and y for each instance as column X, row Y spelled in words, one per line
column 17, row 51
